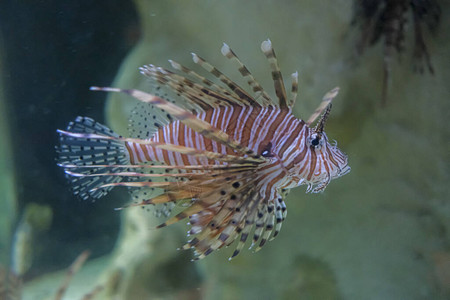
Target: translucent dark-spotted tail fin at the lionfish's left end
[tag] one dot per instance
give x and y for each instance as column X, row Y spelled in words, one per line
column 79, row 155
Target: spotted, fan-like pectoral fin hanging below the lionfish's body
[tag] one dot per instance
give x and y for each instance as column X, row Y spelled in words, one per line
column 239, row 208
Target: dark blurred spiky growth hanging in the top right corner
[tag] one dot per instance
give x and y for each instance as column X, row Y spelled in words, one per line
column 386, row 20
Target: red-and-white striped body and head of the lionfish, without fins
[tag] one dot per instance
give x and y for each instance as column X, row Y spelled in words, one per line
column 270, row 129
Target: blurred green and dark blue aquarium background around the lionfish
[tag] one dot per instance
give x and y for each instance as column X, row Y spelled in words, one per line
column 380, row 232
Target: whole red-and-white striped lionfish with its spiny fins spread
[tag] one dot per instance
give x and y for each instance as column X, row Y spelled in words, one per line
column 228, row 156
